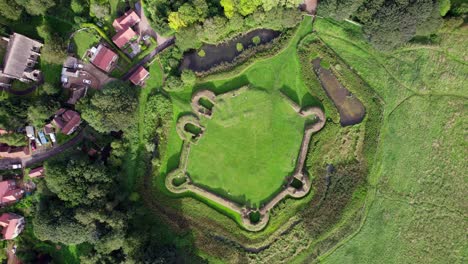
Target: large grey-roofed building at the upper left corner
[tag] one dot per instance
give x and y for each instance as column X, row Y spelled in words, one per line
column 20, row 59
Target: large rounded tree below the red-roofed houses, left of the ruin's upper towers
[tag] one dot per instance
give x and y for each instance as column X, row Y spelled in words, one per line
column 110, row 109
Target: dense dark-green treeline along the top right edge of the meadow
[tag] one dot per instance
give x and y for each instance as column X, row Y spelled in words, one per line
column 387, row 23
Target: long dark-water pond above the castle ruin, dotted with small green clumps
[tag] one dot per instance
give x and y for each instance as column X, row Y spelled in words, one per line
column 225, row 52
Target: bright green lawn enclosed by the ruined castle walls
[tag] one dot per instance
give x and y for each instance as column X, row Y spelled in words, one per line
column 249, row 147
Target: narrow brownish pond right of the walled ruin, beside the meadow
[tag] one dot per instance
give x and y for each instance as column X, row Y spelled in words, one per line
column 350, row 108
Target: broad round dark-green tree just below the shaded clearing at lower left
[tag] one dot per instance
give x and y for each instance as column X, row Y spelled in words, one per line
column 78, row 181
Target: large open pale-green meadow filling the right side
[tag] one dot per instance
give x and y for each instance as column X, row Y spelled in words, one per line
column 418, row 182
